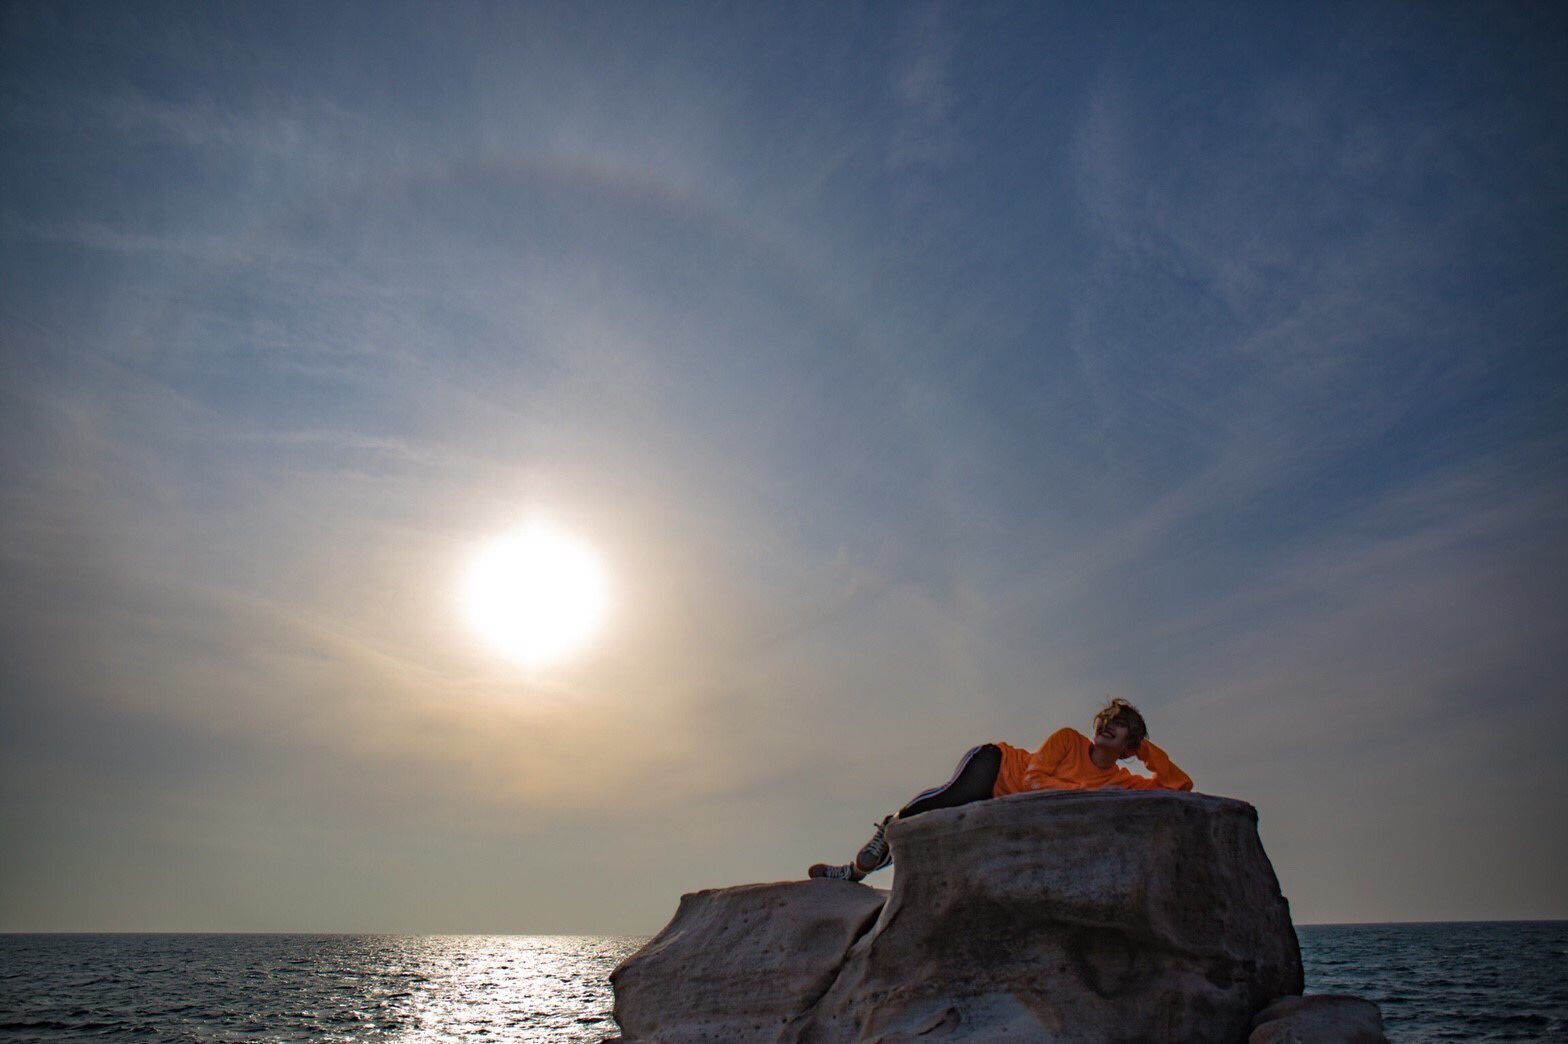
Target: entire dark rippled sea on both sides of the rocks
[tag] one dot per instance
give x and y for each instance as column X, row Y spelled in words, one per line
column 1434, row 982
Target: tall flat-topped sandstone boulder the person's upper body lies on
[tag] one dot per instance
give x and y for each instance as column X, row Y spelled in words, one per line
column 1070, row 916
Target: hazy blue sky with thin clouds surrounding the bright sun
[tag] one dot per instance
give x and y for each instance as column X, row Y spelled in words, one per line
column 921, row 374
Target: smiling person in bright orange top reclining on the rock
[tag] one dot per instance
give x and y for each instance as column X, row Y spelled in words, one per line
column 1069, row 761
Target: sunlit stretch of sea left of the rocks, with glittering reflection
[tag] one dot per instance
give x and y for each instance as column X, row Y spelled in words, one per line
column 310, row 988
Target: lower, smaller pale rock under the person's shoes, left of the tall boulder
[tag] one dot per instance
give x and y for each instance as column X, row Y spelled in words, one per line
column 738, row 965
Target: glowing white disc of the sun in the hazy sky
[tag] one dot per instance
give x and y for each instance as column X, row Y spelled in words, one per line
column 537, row 595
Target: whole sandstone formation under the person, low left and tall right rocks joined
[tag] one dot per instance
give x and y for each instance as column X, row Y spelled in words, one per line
column 1059, row 916
